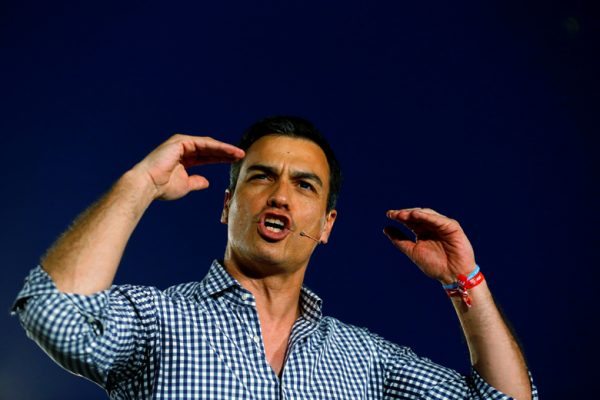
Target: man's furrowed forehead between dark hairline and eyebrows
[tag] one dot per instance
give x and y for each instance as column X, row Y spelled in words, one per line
column 284, row 151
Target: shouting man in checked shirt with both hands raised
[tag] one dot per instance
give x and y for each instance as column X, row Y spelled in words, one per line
column 250, row 329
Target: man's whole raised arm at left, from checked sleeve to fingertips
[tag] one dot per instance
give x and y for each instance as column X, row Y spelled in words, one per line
column 104, row 334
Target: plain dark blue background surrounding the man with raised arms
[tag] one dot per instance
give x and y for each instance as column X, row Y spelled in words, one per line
column 485, row 111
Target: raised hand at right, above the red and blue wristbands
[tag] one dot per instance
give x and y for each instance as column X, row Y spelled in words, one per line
column 440, row 248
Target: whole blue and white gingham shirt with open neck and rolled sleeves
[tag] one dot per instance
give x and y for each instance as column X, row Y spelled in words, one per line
column 202, row 340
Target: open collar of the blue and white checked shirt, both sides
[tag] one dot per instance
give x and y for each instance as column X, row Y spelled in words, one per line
column 218, row 282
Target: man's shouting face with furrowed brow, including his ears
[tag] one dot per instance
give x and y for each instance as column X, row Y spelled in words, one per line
column 281, row 191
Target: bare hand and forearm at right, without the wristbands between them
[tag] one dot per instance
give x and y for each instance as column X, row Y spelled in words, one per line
column 443, row 252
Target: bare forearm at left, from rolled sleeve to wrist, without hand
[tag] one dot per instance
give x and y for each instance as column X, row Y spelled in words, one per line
column 85, row 258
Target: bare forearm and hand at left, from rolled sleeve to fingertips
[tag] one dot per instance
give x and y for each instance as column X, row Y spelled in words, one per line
column 84, row 260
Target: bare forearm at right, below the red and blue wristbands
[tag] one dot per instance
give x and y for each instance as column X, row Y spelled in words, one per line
column 494, row 351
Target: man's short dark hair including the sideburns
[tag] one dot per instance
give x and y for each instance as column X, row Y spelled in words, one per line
column 294, row 127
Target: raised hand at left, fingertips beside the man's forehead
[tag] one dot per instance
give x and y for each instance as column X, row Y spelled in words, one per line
column 167, row 165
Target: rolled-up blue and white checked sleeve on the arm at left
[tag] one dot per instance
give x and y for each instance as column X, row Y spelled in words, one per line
column 106, row 337
